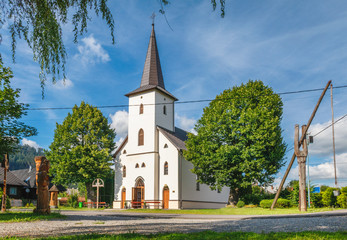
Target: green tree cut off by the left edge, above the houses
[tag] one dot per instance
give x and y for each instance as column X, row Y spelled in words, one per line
column 11, row 129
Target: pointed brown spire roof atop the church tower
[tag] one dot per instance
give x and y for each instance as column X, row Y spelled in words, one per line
column 152, row 76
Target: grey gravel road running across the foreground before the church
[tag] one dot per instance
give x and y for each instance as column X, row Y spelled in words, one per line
column 78, row 222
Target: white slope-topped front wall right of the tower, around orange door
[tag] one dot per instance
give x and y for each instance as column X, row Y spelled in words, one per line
column 170, row 155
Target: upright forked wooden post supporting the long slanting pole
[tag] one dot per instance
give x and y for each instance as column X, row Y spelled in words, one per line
column 301, row 157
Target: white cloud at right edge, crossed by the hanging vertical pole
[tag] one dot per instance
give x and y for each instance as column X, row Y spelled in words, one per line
column 323, row 142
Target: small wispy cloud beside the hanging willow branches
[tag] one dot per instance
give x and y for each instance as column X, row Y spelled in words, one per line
column 91, row 52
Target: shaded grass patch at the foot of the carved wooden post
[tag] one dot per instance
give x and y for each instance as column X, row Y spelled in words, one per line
column 27, row 216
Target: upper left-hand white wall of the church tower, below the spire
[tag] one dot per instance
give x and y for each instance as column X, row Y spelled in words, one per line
column 146, row 121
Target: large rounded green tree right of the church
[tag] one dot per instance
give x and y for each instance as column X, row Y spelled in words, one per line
column 238, row 141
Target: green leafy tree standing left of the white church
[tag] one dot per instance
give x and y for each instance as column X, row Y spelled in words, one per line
column 81, row 149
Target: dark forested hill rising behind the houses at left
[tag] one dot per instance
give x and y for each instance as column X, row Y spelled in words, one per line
column 24, row 157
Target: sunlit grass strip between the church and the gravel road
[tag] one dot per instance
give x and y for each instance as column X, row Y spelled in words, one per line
column 233, row 211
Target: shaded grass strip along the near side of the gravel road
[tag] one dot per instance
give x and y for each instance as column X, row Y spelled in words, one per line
column 206, row 235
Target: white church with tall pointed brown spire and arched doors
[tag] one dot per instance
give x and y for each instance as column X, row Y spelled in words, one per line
column 151, row 171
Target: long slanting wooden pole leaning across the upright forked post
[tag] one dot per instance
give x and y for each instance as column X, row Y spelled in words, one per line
column 303, row 134
